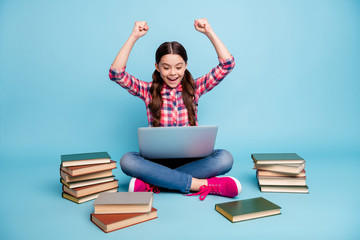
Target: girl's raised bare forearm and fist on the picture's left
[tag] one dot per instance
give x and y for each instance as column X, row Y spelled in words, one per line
column 139, row 30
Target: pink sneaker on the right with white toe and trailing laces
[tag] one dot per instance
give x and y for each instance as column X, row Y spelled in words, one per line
column 223, row 186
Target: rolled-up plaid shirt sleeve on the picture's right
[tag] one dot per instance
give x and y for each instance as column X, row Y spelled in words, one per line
column 215, row 76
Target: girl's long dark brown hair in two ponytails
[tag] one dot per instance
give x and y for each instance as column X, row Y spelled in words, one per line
column 188, row 85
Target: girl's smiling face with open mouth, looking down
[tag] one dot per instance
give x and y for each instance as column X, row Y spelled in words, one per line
column 172, row 69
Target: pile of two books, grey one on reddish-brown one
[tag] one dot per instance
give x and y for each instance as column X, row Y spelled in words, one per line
column 113, row 211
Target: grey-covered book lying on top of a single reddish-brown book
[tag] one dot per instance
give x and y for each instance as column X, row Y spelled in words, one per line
column 123, row 202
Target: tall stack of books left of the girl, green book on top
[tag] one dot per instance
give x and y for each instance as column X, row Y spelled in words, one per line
column 85, row 175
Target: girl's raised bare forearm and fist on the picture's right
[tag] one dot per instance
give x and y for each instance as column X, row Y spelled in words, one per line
column 203, row 26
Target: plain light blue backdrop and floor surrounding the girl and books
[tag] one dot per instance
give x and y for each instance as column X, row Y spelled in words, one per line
column 295, row 88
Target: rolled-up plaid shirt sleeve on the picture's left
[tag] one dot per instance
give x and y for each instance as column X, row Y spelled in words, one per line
column 133, row 85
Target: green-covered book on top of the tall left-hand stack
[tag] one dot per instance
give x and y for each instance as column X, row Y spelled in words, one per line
column 80, row 159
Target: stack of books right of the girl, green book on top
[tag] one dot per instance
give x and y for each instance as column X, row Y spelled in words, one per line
column 280, row 172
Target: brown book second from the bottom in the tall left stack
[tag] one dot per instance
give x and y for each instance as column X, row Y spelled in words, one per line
column 84, row 191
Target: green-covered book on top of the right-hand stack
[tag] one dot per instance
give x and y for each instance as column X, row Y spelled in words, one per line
column 277, row 158
